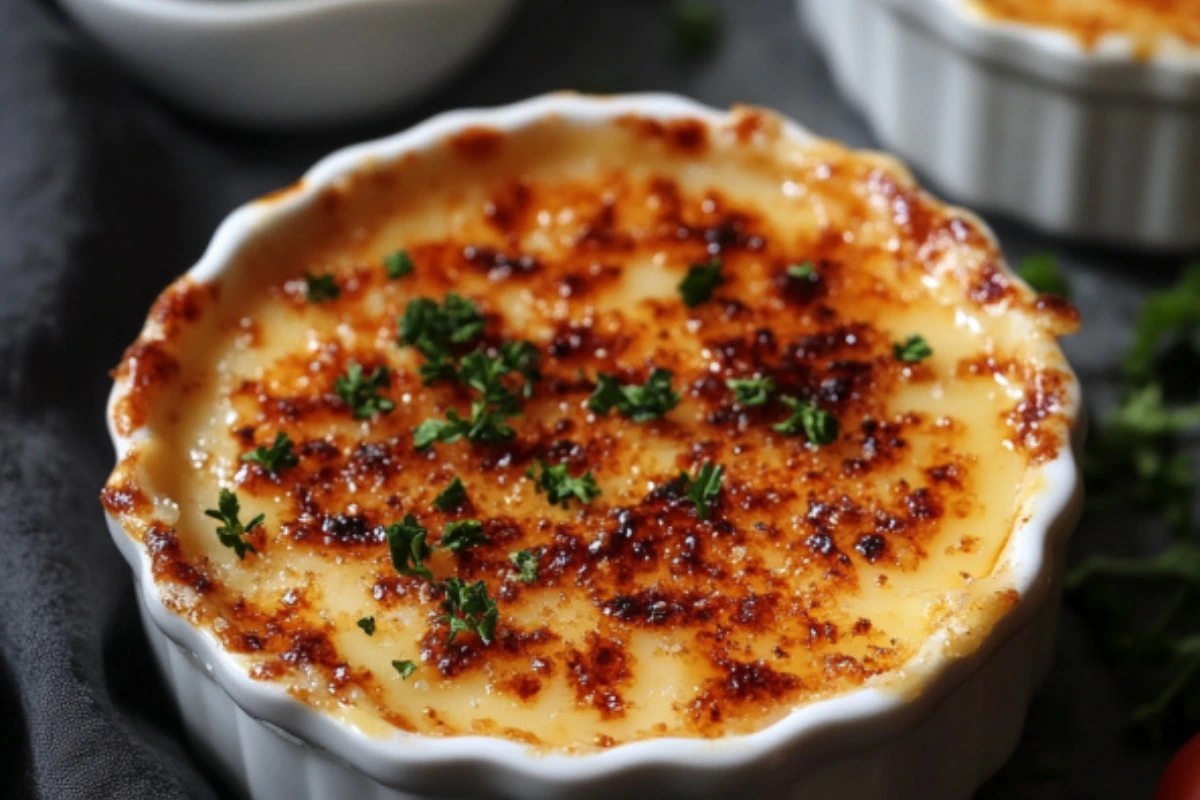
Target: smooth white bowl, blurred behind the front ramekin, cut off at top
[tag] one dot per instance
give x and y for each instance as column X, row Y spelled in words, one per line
column 292, row 63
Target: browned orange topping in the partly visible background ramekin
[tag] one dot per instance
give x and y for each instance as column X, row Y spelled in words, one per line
column 1149, row 23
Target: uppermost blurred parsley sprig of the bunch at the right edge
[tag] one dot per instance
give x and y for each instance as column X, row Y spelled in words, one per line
column 1166, row 316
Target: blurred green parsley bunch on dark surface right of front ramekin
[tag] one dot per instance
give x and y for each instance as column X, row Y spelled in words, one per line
column 1145, row 611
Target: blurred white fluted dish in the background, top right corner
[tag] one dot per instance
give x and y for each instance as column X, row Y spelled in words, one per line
column 1090, row 145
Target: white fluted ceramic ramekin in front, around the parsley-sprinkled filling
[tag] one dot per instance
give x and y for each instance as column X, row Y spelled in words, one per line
column 939, row 743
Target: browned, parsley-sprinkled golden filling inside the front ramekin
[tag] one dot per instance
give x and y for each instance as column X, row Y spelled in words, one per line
column 587, row 435
